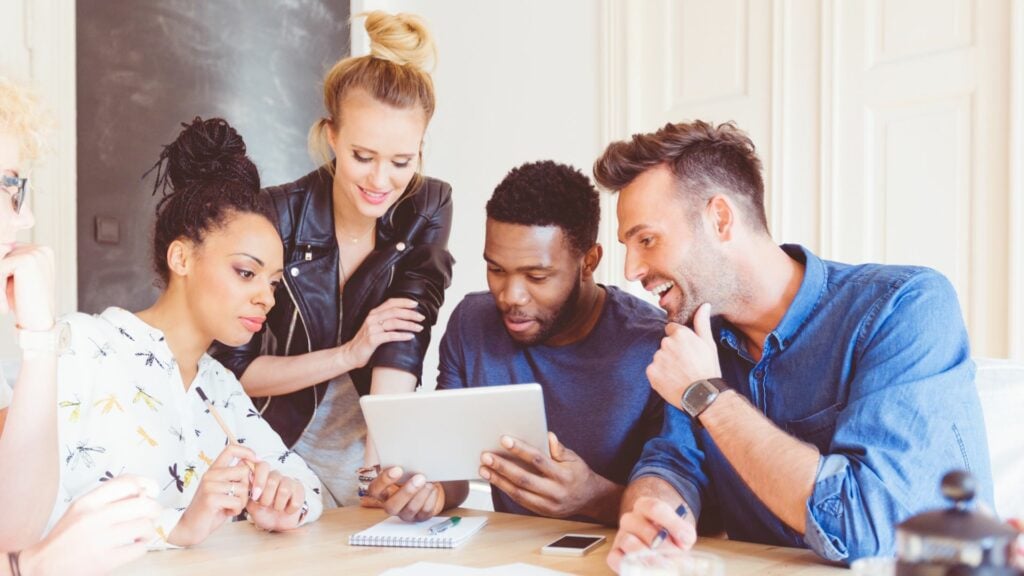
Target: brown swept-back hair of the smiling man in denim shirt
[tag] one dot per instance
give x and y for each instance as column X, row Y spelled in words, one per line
column 702, row 156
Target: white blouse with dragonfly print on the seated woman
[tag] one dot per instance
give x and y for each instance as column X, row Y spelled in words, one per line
column 123, row 409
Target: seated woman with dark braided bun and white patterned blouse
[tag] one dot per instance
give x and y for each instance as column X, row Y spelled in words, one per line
column 134, row 389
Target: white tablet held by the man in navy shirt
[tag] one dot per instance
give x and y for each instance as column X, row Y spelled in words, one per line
column 442, row 434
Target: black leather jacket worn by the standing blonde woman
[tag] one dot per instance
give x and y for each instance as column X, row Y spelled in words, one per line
column 410, row 260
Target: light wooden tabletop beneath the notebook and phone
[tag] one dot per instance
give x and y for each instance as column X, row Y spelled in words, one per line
column 322, row 548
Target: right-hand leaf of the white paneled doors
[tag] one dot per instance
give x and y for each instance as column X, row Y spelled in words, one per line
column 920, row 162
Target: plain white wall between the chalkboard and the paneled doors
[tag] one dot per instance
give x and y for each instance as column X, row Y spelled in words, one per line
column 516, row 83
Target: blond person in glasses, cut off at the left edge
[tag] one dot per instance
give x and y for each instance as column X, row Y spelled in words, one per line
column 111, row 525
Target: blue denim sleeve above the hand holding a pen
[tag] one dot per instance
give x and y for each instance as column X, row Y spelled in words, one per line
column 675, row 458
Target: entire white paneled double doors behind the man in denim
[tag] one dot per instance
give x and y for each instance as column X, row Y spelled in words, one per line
column 884, row 126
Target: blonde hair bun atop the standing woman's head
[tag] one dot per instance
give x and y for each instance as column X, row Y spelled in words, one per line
column 403, row 39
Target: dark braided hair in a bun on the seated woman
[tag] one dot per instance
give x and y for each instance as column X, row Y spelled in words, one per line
column 205, row 179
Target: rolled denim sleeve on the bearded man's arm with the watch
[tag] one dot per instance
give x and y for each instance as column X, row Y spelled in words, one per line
column 913, row 415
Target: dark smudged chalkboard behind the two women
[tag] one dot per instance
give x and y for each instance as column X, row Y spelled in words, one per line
column 145, row 67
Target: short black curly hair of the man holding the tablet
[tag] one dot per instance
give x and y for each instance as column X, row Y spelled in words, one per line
column 546, row 193
